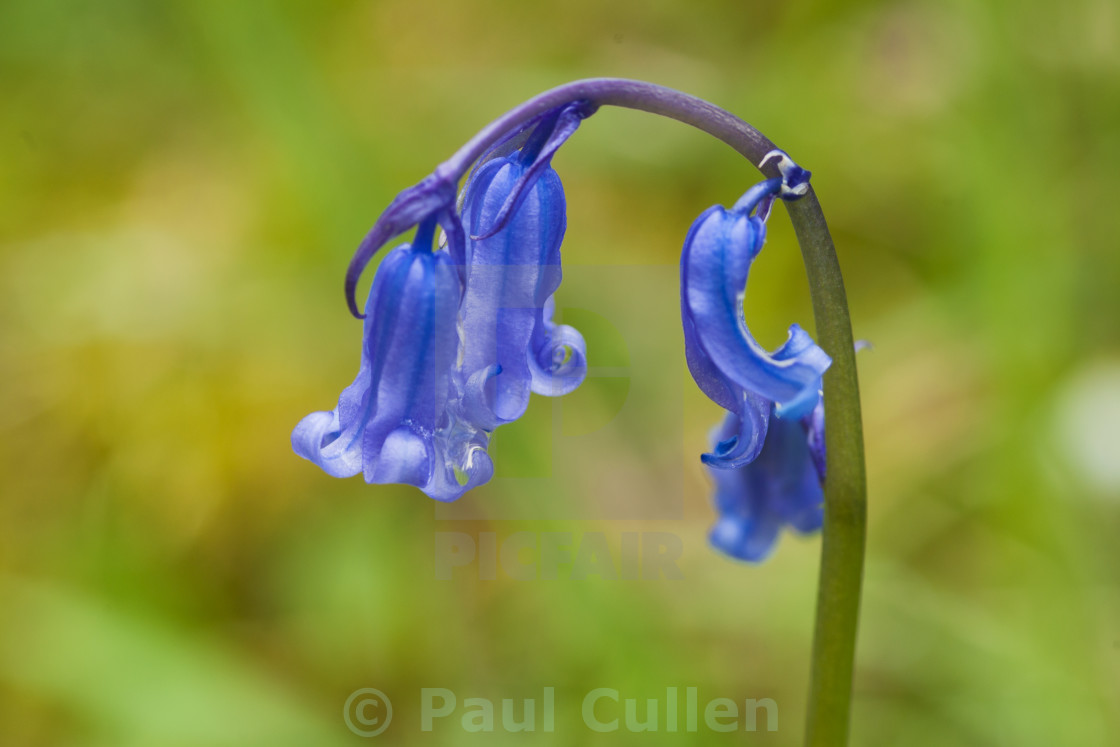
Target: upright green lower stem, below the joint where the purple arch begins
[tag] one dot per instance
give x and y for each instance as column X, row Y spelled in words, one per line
column 845, row 489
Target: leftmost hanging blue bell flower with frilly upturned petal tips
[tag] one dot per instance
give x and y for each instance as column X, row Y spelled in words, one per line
column 394, row 424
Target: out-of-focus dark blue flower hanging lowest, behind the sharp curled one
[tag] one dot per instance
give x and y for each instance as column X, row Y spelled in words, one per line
column 780, row 489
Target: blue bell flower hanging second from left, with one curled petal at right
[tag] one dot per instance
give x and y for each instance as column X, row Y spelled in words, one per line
column 515, row 212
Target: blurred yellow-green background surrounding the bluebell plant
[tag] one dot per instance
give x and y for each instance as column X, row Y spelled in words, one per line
column 182, row 185
